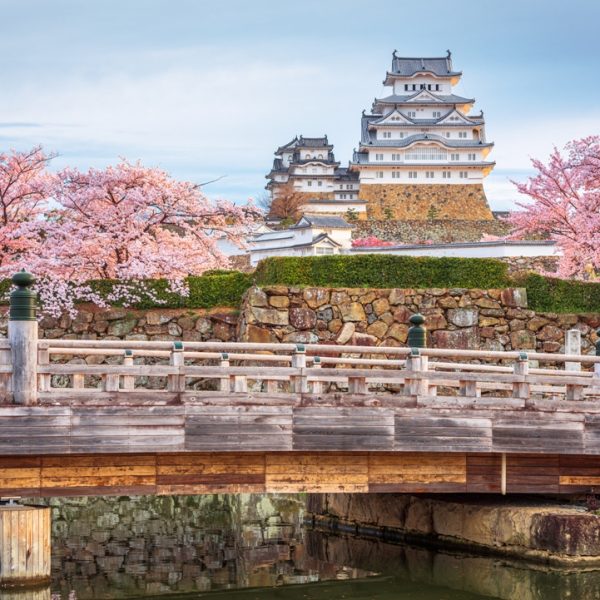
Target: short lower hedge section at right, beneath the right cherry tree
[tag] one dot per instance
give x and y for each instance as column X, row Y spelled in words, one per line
column 548, row 294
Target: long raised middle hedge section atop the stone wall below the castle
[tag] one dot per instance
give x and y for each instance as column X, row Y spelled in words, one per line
column 383, row 271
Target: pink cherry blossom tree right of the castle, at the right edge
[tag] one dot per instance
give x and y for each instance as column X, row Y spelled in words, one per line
column 565, row 206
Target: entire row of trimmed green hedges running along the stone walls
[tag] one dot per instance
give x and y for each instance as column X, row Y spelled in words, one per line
column 226, row 288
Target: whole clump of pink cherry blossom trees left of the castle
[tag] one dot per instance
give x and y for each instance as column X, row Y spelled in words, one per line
column 127, row 222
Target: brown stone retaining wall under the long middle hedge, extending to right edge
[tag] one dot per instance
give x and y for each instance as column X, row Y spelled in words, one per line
column 456, row 318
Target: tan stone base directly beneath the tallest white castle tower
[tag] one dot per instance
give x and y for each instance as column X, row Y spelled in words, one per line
column 426, row 201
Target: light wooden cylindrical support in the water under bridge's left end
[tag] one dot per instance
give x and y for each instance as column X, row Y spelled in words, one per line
column 24, row 545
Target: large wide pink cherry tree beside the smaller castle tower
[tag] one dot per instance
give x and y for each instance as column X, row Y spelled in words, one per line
column 132, row 222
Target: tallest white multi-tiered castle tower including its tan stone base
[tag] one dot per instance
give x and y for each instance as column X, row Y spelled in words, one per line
column 421, row 154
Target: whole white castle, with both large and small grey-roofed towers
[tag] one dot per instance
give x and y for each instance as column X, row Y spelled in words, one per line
column 421, row 154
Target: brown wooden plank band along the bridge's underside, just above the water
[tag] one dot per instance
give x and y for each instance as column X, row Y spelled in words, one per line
column 293, row 472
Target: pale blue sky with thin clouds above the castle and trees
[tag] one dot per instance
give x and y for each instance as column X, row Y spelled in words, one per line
column 209, row 90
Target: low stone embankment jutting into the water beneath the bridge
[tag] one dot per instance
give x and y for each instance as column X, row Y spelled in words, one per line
column 553, row 534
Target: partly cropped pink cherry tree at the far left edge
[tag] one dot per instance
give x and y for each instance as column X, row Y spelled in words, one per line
column 25, row 186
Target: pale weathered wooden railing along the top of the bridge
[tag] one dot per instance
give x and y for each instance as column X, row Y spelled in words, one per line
column 122, row 367
